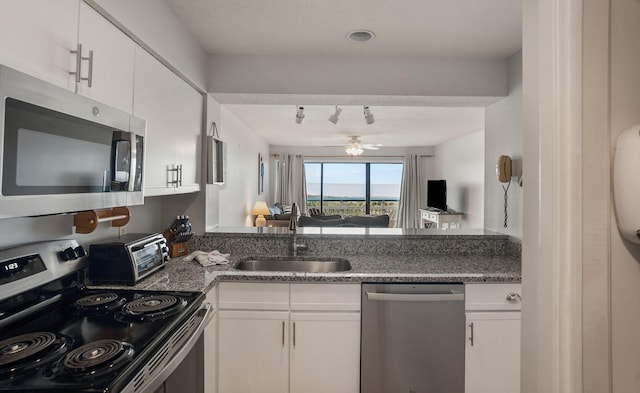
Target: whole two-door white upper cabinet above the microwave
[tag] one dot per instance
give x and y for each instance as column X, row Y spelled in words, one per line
column 37, row 37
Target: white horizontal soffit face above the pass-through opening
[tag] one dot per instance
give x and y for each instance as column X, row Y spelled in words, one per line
column 390, row 76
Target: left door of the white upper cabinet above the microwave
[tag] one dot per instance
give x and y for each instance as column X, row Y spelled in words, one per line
column 37, row 37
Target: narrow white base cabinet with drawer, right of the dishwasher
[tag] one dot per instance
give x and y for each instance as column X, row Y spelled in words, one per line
column 492, row 354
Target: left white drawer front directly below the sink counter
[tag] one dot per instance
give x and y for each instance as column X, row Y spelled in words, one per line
column 253, row 296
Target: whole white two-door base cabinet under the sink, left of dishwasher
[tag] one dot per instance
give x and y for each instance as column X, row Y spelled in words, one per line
column 312, row 346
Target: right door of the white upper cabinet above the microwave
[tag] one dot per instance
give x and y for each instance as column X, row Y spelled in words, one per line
column 112, row 68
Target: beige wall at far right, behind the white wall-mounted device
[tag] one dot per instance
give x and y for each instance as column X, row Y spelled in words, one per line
column 625, row 257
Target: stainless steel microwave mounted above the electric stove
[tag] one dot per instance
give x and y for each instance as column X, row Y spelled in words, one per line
column 63, row 152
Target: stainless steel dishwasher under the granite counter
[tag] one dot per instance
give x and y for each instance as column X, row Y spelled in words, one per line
column 413, row 338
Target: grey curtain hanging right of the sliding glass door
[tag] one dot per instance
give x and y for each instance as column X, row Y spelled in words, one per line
column 410, row 193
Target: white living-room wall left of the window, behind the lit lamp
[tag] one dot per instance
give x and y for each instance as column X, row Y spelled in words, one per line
column 239, row 193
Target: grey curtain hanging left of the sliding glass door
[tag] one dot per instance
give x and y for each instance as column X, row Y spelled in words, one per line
column 291, row 182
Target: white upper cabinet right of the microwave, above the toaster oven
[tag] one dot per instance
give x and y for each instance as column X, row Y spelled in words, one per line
column 173, row 111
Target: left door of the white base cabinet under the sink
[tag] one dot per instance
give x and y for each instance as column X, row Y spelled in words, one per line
column 253, row 350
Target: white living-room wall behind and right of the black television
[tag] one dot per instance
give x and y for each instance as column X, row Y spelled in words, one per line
column 461, row 163
